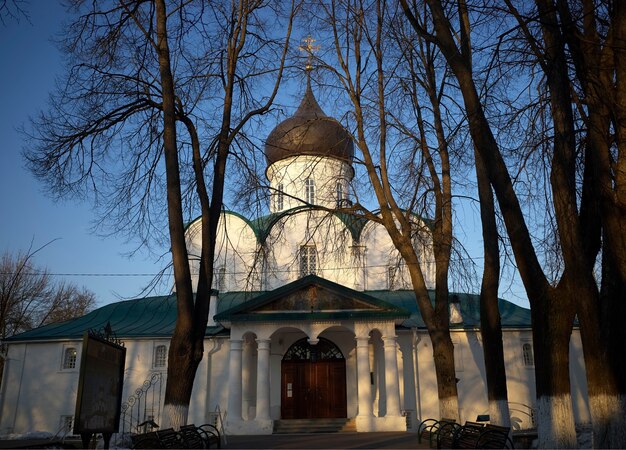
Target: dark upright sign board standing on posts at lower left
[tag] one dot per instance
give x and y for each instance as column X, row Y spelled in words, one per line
column 100, row 386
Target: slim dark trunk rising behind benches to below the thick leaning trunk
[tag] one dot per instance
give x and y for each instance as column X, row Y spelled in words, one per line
column 490, row 326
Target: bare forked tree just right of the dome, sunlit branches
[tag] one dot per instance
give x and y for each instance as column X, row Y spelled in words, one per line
column 407, row 161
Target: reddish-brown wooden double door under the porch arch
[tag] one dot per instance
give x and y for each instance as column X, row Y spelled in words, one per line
column 313, row 389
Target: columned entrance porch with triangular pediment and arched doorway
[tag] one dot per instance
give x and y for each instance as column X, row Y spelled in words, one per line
column 313, row 349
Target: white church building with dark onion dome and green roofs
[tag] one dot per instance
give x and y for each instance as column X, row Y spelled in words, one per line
column 312, row 317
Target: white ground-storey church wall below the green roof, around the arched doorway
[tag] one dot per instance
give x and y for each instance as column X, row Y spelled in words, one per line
column 36, row 392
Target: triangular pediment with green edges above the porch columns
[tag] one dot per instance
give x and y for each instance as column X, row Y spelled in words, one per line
column 309, row 298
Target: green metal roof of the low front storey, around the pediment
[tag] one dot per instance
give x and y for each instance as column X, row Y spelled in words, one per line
column 154, row 317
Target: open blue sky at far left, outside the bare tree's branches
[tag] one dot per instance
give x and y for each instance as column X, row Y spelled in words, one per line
column 30, row 62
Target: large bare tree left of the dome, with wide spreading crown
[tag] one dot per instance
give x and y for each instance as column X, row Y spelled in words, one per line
column 155, row 94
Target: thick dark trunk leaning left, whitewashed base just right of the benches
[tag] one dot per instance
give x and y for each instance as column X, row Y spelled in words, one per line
column 552, row 376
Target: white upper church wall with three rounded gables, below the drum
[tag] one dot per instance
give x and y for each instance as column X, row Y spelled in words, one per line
column 356, row 265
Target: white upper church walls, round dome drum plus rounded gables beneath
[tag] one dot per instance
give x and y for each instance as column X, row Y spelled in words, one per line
column 360, row 265
